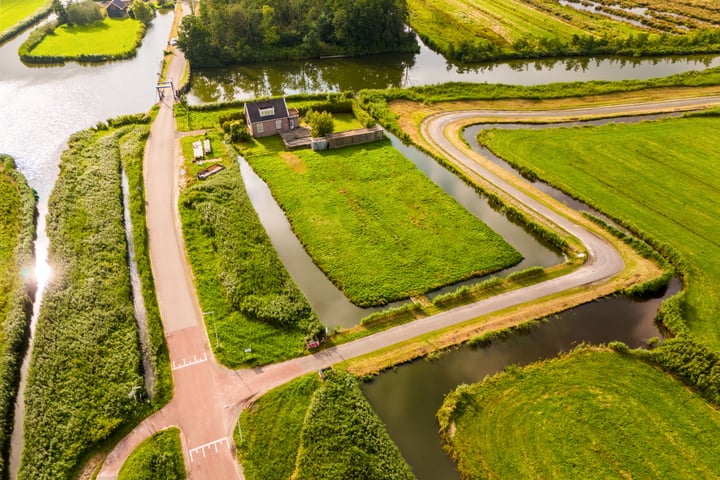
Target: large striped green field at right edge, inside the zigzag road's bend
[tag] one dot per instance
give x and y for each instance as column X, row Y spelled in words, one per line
column 661, row 178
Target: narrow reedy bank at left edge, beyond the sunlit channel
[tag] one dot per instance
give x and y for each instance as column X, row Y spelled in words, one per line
column 17, row 285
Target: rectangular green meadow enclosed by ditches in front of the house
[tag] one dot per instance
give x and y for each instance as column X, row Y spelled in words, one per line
column 376, row 225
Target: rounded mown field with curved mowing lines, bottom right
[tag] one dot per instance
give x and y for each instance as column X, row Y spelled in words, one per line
column 591, row 414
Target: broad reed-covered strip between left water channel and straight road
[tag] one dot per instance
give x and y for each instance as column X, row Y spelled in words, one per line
column 86, row 356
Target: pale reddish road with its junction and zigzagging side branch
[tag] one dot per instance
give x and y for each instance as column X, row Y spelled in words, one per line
column 208, row 397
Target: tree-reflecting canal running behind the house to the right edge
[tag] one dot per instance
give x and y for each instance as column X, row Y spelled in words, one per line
column 424, row 68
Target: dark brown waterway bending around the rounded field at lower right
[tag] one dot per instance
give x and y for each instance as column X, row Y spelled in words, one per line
column 407, row 398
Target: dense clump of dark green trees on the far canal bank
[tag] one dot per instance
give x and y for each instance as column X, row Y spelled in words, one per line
column 235, row 31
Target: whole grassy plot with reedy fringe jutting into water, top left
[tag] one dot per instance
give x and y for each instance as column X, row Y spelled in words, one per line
column 110, row 39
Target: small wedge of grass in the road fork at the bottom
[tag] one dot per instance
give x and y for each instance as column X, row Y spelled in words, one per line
column 157, row 458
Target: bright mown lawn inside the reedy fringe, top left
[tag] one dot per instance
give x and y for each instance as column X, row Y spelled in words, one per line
column 109, row 37
